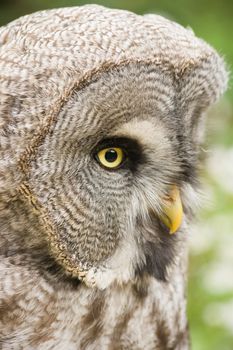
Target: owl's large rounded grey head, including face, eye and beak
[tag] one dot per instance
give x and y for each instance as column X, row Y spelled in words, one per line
column 102, row 113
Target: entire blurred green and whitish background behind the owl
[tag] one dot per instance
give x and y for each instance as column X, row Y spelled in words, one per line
column 210, row 287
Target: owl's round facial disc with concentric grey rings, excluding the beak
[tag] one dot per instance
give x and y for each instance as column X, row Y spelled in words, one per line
column 118, row 145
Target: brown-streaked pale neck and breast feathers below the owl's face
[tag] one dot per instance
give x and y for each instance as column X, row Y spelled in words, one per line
column 142, row 314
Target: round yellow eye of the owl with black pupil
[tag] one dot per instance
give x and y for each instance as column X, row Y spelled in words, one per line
column 111, row 157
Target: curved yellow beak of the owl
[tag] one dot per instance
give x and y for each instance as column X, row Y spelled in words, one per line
column 172, row 210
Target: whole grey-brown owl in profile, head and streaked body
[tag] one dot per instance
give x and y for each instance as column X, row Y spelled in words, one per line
column 101, row 115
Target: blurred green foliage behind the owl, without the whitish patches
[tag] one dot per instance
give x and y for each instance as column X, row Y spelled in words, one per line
column 213, row 22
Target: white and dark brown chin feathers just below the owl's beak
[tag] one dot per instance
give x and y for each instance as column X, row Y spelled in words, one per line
column 130, row 261
